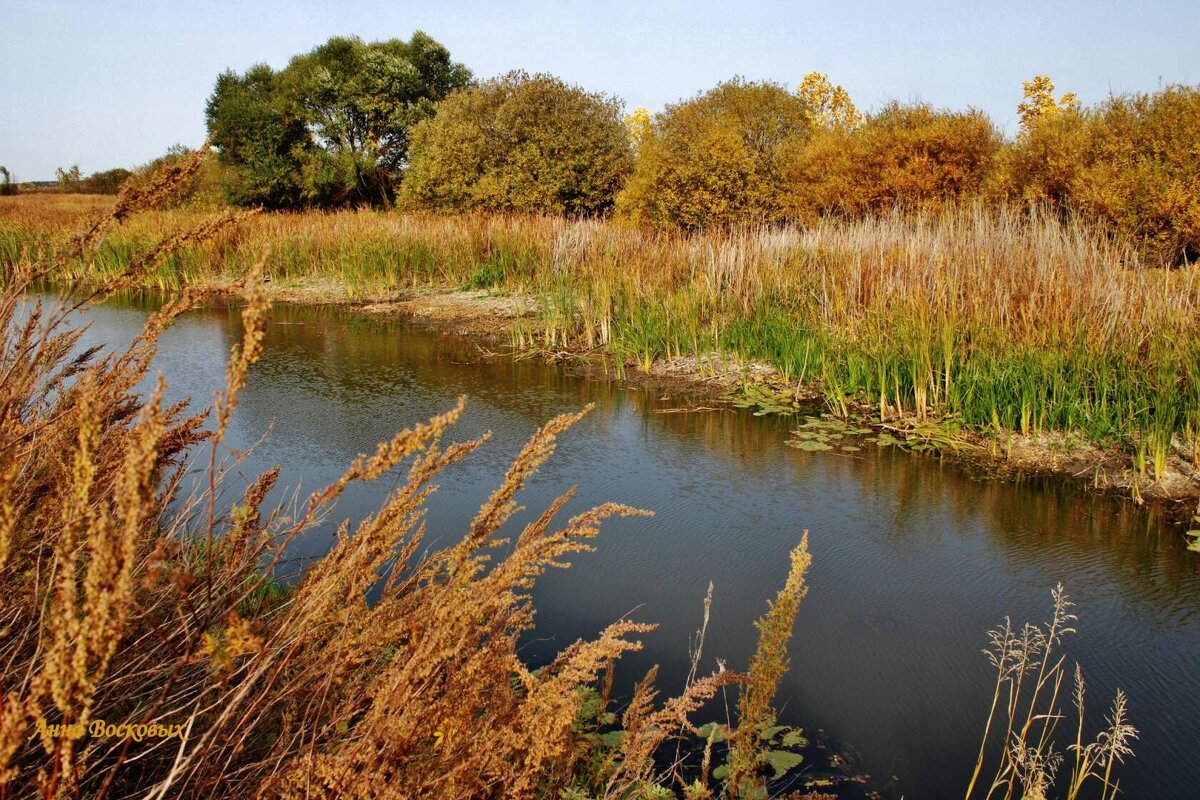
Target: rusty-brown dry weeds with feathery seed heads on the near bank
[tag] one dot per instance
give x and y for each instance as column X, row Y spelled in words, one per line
column 149, row 651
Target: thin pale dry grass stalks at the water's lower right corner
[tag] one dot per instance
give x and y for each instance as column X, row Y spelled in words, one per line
column 1025, row 714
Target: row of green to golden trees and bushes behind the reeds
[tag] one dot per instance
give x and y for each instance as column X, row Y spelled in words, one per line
column 401, row 124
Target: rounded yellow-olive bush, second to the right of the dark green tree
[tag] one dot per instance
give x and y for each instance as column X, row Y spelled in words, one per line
column 718, row 159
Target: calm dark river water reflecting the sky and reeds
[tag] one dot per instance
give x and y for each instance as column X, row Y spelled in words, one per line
column 913, row 562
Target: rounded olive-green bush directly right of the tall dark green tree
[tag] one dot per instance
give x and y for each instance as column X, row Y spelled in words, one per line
column 520, row 143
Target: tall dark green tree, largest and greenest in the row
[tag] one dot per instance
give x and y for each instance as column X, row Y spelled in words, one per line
column 333, row 128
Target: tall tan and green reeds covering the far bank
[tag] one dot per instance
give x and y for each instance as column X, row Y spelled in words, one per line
column 998, row 321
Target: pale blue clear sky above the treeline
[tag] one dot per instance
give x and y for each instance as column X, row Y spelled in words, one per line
column 115, row 83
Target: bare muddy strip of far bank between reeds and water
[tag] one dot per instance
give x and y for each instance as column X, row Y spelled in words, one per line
column 715, row 383
